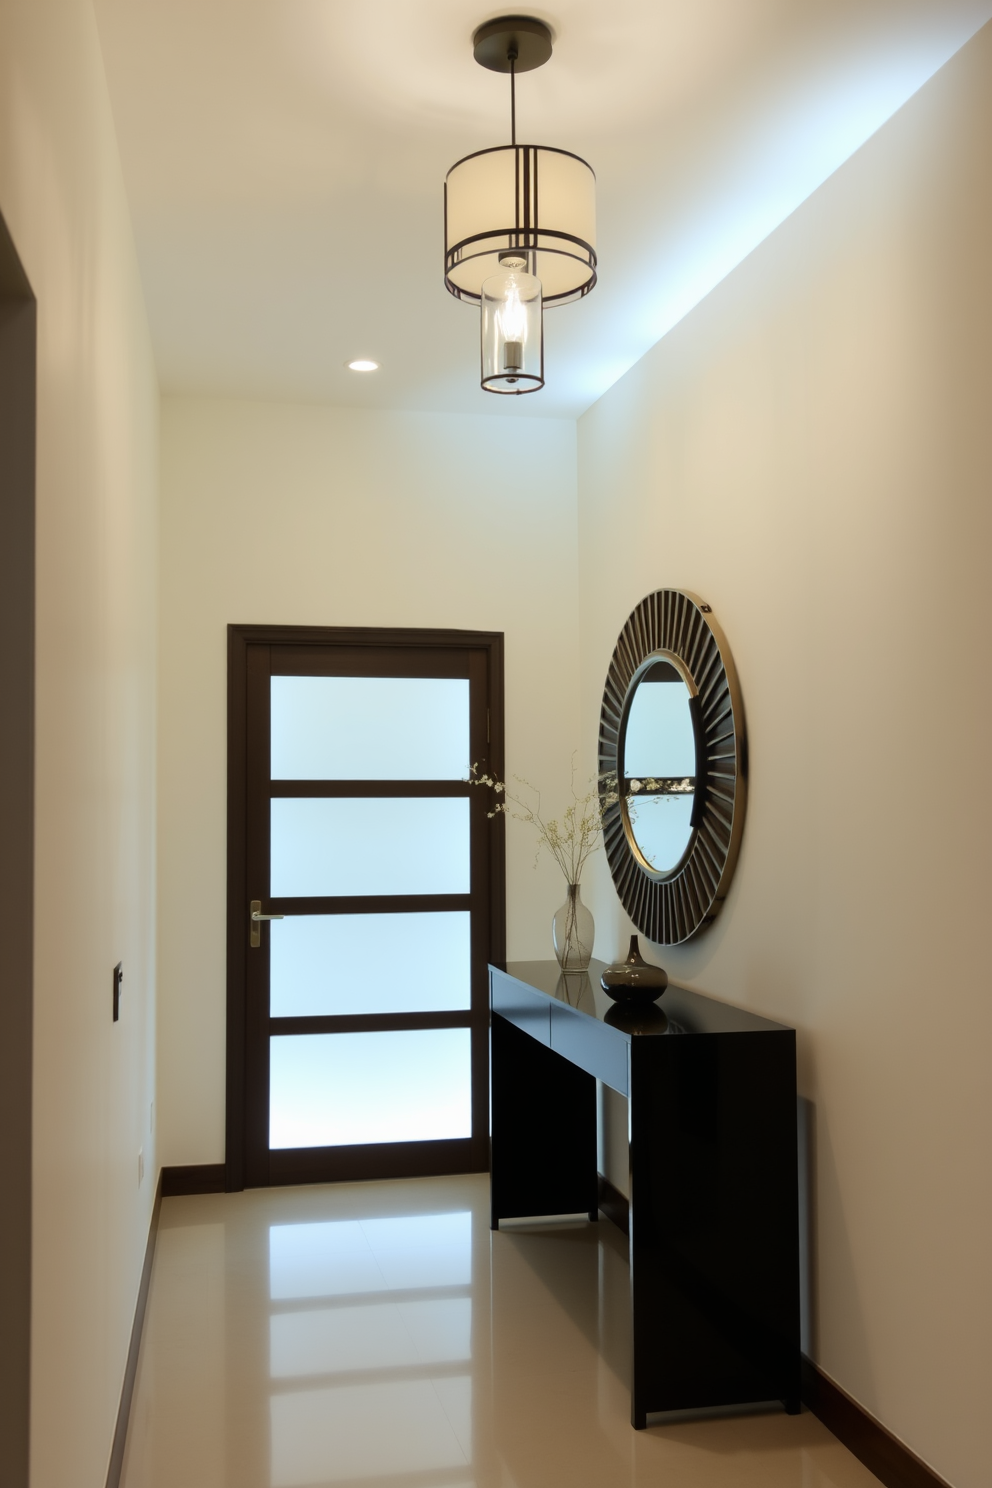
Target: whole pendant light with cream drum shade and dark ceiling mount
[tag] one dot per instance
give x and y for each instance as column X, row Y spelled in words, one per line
column 520, row 225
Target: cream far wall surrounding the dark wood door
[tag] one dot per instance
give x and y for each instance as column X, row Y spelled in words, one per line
column 313, row 516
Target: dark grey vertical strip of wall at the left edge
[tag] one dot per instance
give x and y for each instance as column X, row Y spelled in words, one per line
column 17, row 852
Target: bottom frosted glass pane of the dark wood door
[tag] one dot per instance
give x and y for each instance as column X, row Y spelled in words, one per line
column 341, row 1088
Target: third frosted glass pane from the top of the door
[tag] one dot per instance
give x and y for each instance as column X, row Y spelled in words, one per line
column 370, row 965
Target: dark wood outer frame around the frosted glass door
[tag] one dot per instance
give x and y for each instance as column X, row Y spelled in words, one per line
column 240, row 638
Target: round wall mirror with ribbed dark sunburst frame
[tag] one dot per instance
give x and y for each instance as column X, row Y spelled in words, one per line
column 673, row 767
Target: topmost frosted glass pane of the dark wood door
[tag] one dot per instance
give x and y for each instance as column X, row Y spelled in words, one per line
column 370, row 728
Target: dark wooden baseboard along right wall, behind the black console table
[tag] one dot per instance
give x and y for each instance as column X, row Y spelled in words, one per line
column 884, row 1455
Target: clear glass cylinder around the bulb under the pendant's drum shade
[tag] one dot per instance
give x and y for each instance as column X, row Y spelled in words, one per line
column 512, row 331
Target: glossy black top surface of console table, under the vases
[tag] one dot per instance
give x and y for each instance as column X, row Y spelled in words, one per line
column 677, row 1011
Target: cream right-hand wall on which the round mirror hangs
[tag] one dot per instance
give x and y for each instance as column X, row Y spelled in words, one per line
column 811, row 452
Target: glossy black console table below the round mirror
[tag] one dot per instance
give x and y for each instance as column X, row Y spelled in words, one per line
column 715, row 1190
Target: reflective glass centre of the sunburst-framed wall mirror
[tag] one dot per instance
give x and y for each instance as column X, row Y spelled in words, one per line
column 660, row 766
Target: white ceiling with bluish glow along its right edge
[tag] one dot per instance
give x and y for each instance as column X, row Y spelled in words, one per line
column 285, row 164
